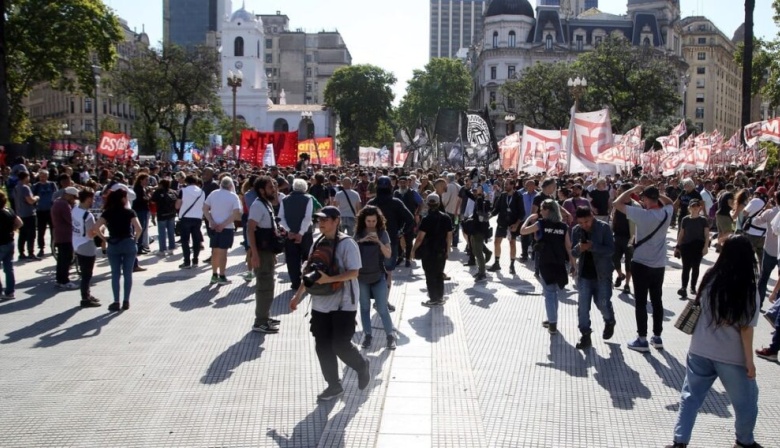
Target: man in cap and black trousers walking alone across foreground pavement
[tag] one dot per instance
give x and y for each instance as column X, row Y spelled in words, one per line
column 331, row 278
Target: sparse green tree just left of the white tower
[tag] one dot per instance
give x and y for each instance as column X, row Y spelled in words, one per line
column 171, row 87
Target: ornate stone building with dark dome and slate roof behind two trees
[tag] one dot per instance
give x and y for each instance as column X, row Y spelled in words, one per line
column 515, row 36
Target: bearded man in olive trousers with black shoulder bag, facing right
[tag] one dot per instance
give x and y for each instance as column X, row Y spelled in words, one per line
column 262, row 227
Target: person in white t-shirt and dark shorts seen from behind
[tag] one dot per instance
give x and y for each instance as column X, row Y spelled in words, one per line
column 221, row 209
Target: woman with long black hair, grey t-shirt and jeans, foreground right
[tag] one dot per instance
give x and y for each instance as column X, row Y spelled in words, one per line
column 722, row 343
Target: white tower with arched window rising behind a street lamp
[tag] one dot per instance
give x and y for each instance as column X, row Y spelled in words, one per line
column 243, row 41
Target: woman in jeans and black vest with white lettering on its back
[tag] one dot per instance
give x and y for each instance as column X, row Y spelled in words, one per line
column 552, row 249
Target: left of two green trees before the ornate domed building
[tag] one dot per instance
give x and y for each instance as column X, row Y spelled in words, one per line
column 540, row 97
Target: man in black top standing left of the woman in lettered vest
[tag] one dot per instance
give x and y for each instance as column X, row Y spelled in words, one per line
column 510, row 209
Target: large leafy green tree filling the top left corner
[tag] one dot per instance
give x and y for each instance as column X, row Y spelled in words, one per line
column 50, row 41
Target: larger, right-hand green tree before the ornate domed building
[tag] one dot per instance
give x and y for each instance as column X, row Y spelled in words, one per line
column 637, row 84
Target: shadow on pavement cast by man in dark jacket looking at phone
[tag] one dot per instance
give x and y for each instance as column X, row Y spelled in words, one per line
column 616, row 377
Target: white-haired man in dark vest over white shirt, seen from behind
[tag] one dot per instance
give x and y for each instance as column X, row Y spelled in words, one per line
column 296, row 218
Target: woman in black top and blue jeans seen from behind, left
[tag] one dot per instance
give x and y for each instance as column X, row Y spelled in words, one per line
column 124, row 231
